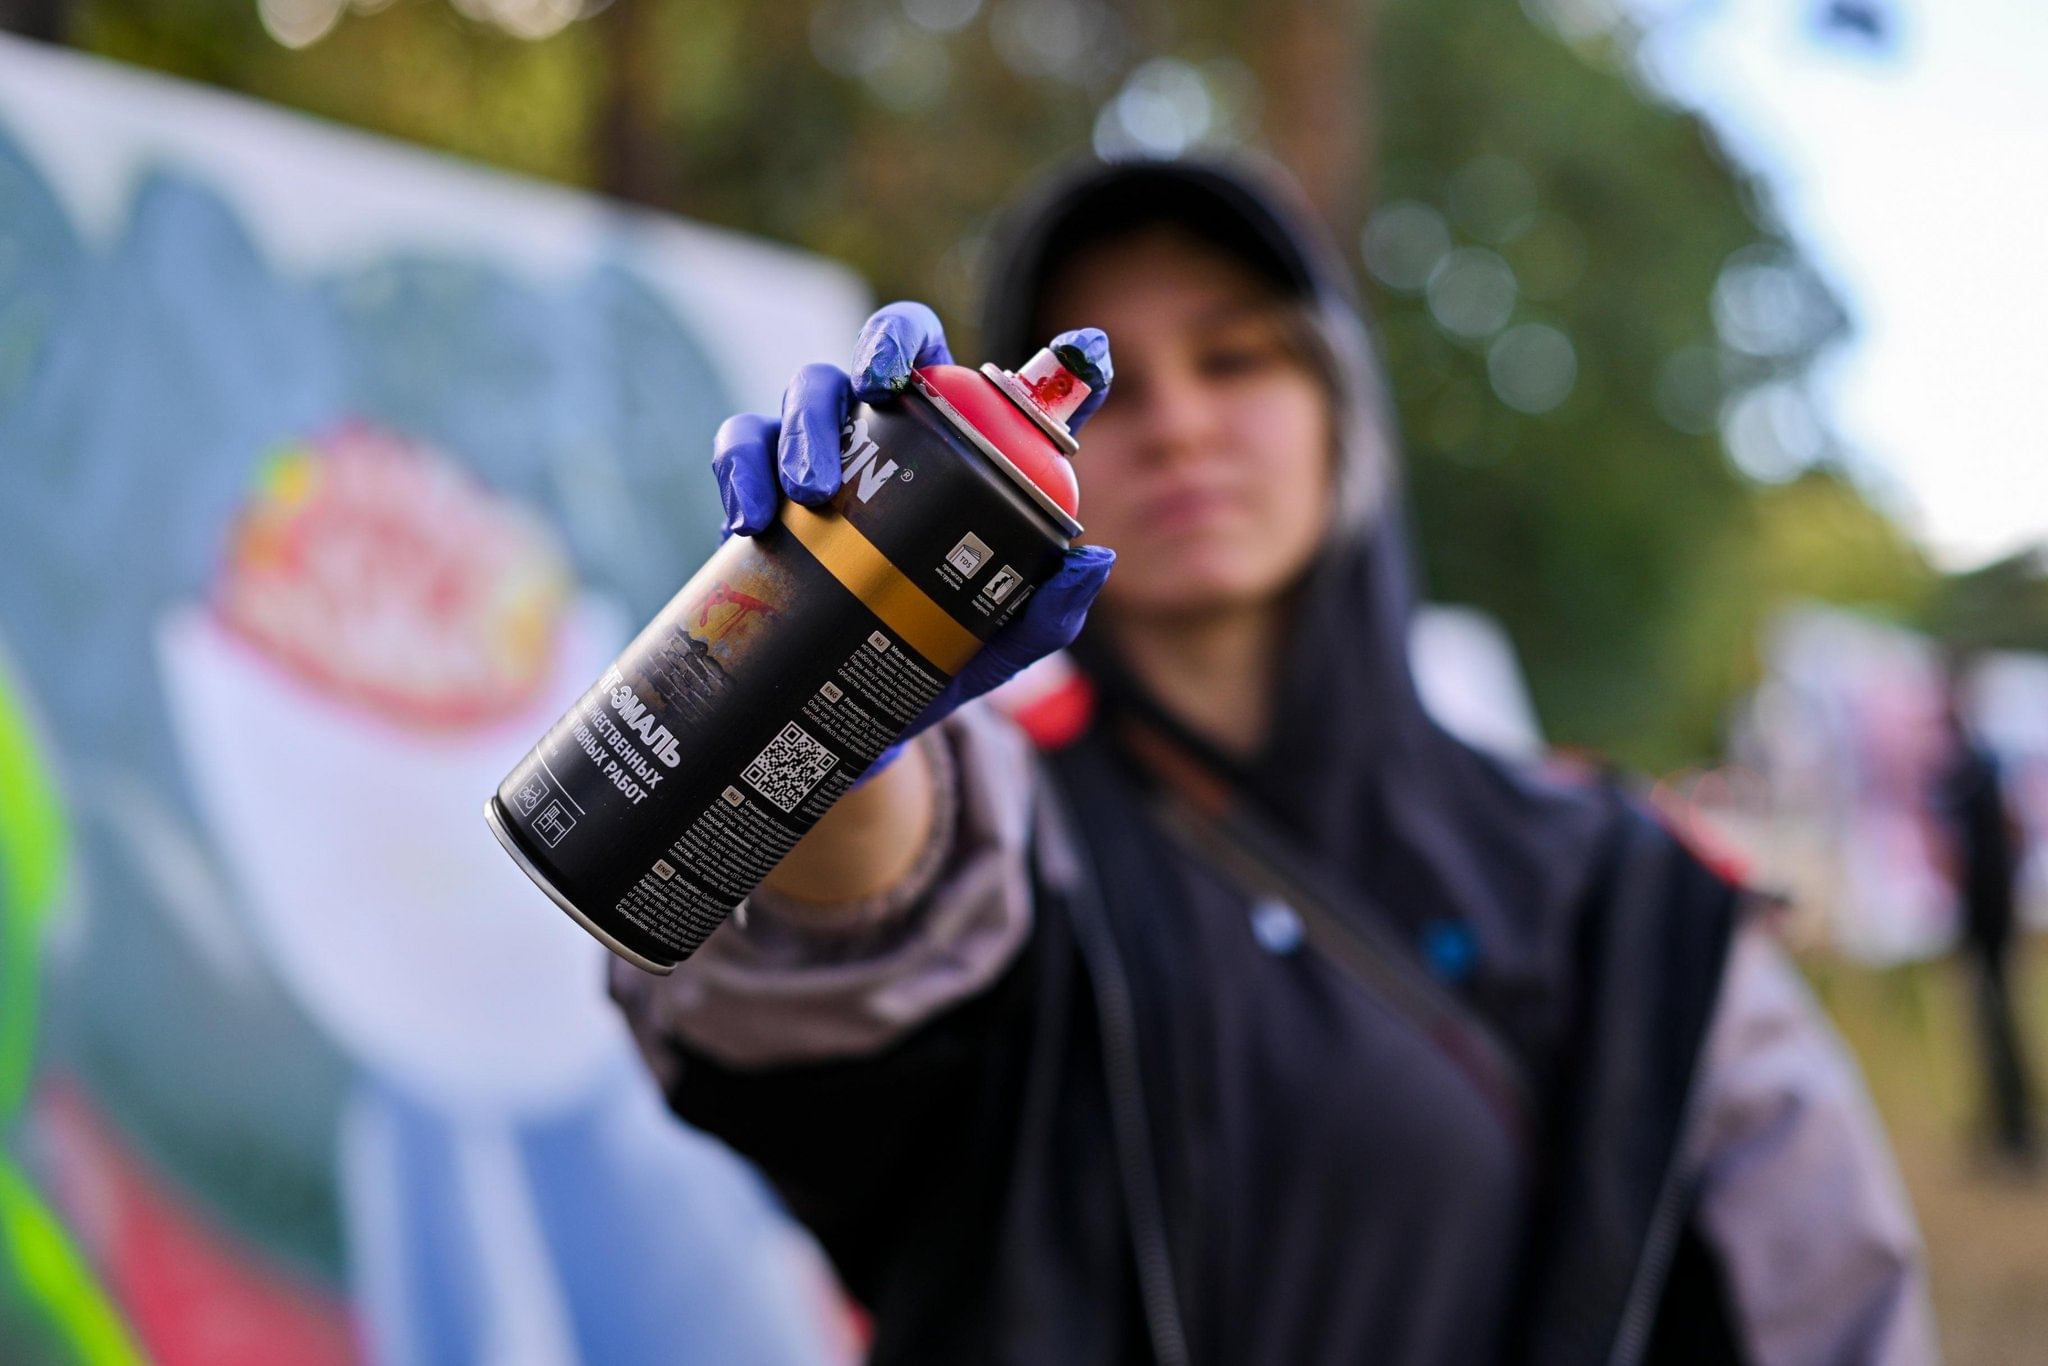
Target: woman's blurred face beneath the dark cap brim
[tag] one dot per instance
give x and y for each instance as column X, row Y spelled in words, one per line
column 1209, row 468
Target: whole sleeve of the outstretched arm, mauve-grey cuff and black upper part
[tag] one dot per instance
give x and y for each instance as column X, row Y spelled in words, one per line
column 865, row 1058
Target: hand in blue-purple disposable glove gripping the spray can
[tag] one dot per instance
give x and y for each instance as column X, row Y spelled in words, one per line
column 761, row 460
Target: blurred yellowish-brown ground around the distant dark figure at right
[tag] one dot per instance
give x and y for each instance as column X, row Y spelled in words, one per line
column 1988, row 1232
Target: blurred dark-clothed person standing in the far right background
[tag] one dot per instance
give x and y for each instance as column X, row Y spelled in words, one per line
column 1988, row 849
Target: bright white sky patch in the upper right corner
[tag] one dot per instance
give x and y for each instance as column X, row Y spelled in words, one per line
column 1916, row 173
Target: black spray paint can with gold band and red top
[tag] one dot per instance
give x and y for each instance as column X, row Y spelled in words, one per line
column 792, row 660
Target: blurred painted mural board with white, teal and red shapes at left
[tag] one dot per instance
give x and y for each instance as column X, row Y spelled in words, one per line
column 329, row 474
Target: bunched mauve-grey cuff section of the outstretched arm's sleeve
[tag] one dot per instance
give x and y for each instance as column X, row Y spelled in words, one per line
column 808, row 984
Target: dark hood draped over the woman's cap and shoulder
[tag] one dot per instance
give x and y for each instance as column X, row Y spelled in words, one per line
column 1353, row 763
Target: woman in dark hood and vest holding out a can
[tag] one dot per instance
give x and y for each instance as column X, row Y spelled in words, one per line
column 1254, row 1019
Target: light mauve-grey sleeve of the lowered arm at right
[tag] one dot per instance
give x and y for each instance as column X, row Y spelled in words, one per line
column 1799, row 1195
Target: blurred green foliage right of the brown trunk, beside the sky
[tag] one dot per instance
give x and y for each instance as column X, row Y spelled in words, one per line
column 1574, row 284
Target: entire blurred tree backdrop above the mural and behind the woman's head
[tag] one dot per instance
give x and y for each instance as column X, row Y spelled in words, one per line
column 1596, row 329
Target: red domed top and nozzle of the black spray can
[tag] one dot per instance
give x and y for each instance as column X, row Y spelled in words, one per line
column 1021, row 421
